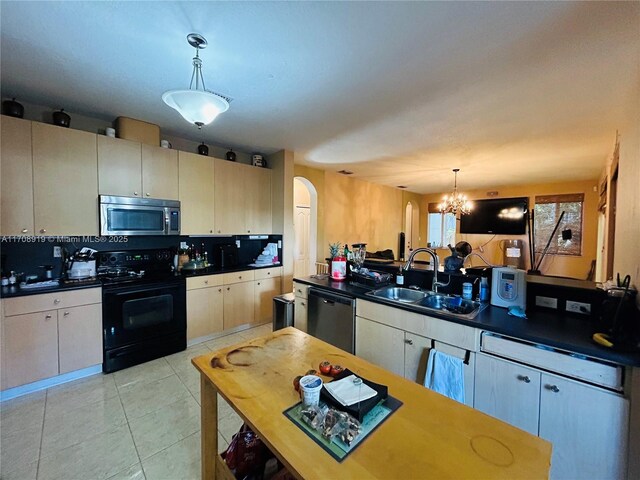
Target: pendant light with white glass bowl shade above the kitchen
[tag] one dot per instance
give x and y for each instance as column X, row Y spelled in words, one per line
column 197, row 105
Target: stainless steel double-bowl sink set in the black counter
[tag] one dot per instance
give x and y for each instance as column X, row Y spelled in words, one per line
column 431, row 301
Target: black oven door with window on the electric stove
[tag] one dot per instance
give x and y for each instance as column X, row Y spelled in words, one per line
column 138, row 314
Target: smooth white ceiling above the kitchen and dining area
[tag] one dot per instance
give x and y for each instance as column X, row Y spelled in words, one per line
column 397, row 92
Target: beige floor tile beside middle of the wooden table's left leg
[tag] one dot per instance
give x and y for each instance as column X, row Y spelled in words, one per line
column 166, row 426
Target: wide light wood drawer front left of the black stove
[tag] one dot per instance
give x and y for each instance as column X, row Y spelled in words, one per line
column 47, row 301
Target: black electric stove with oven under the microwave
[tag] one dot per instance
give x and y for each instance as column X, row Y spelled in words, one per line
column 143, row 307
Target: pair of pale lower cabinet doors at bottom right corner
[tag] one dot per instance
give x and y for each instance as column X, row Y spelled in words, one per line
column 587, row 425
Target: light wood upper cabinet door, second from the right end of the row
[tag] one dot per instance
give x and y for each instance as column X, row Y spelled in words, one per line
column 230, row 191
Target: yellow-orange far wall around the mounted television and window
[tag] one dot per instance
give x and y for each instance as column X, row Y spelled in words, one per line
column 558, row 265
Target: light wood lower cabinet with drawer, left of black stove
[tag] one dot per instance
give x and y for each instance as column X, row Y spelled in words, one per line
column 40, row 342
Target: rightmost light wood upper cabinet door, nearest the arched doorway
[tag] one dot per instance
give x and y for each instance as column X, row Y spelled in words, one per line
column 258, row 200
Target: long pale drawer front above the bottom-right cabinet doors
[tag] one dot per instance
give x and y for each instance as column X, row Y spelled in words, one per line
column 564, row 363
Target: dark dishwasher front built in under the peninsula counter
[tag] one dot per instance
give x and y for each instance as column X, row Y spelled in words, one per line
column 331, row 318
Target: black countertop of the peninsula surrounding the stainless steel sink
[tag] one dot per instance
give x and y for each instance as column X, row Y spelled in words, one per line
column 562, row 331
